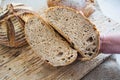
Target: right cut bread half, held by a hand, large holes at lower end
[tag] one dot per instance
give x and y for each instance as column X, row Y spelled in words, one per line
column 77, row 30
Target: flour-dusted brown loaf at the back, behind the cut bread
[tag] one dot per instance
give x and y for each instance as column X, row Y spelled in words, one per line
column 80, row 5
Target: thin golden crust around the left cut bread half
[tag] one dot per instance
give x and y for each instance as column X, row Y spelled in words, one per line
column 44, row 58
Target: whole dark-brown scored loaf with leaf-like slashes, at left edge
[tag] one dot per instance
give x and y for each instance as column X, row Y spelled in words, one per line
column 12, row 22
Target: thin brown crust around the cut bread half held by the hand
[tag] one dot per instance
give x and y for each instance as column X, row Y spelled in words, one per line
column 84, row 58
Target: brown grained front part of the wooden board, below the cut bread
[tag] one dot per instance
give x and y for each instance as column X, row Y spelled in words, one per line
column 28, row 66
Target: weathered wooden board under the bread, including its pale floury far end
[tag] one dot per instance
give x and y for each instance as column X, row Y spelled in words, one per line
column 24, row 64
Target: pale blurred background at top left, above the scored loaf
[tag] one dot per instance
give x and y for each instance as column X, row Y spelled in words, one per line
column 36, row 5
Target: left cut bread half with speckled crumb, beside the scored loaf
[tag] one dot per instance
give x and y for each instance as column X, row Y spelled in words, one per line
column 48, row 43
